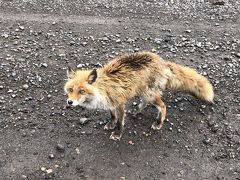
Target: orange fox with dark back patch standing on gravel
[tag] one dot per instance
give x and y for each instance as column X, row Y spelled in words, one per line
column 143, row 74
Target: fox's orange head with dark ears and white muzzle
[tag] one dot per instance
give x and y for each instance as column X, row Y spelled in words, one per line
column 80, row 86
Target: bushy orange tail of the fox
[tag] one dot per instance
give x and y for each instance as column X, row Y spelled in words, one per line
column 189, row 80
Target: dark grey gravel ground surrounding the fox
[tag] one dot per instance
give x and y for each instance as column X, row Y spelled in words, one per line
column 43, row 139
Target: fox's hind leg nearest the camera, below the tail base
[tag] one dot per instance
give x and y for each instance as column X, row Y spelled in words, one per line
column 159, row 104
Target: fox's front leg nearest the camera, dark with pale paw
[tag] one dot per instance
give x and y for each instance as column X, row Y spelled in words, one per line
column 117, row 134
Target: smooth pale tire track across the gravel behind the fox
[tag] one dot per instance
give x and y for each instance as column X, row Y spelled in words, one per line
column 80, row 20
